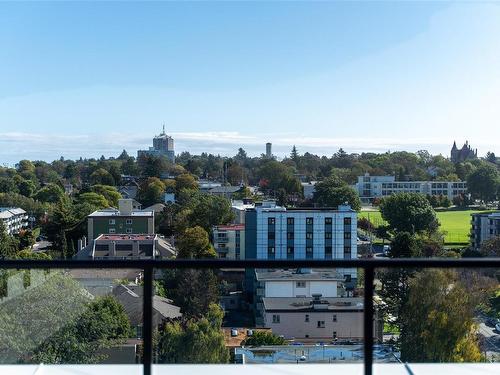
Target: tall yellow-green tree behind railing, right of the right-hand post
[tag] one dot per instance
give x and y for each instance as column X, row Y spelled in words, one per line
column 438, row 320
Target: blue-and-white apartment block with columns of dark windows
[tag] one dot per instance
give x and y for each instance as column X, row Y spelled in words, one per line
column 274, row 232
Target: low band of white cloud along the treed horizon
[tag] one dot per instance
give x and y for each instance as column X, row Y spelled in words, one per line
column 15, row 146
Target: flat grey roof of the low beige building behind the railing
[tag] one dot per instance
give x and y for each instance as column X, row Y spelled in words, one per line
column 301, row 304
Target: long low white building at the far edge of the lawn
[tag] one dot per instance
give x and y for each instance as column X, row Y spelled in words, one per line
column 370, row 187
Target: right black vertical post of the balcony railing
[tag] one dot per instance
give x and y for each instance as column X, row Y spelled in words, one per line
column 368, row 319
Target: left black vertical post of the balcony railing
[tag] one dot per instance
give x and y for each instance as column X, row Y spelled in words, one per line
column 147, row 316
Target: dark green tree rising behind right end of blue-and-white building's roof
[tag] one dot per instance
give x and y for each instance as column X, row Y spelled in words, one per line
column 333, row 192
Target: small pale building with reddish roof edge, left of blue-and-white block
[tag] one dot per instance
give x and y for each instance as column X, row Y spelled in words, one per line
column 229, row 241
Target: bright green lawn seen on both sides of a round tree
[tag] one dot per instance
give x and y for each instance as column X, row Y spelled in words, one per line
column 455, row 223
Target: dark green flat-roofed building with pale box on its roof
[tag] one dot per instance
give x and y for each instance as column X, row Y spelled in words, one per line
column 124, row 220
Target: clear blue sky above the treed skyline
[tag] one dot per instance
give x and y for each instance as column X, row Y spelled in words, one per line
column 85, row 79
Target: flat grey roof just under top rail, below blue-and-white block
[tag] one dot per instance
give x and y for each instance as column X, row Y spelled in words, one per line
column 298, row 274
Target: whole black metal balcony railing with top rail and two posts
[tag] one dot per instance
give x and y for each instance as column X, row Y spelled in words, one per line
column 148, row 265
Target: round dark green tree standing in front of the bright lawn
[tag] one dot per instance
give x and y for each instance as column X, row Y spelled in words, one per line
column 408, row 212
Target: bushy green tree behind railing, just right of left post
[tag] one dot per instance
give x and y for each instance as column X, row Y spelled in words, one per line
column 195, row 341
